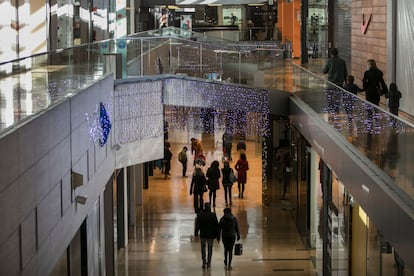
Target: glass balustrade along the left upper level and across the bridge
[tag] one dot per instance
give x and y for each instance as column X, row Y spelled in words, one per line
column 32, row 84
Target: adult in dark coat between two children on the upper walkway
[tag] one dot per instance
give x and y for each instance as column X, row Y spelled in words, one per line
column 373, row 83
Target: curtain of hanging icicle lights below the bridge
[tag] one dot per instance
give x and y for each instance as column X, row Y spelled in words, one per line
column 139, row 107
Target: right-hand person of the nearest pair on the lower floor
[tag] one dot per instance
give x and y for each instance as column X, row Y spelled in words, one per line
column 229, row 231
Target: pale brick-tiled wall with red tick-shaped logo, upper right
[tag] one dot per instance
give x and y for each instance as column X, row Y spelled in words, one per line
column 372, row 44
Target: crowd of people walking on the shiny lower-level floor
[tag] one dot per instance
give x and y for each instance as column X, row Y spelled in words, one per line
column 207, row 226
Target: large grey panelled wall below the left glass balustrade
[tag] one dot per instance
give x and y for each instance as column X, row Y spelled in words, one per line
column 37, row 210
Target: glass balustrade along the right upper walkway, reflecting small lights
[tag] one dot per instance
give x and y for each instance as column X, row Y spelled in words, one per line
column 377, row 134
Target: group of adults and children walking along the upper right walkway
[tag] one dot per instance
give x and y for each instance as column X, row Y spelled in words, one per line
column 373, row 82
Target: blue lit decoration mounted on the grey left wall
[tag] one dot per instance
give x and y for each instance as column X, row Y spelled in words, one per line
column 99, row 125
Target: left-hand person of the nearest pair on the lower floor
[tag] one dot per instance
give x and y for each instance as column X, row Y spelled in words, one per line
column 207, row 225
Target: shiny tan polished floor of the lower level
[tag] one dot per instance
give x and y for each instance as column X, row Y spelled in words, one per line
column 163, row 242
